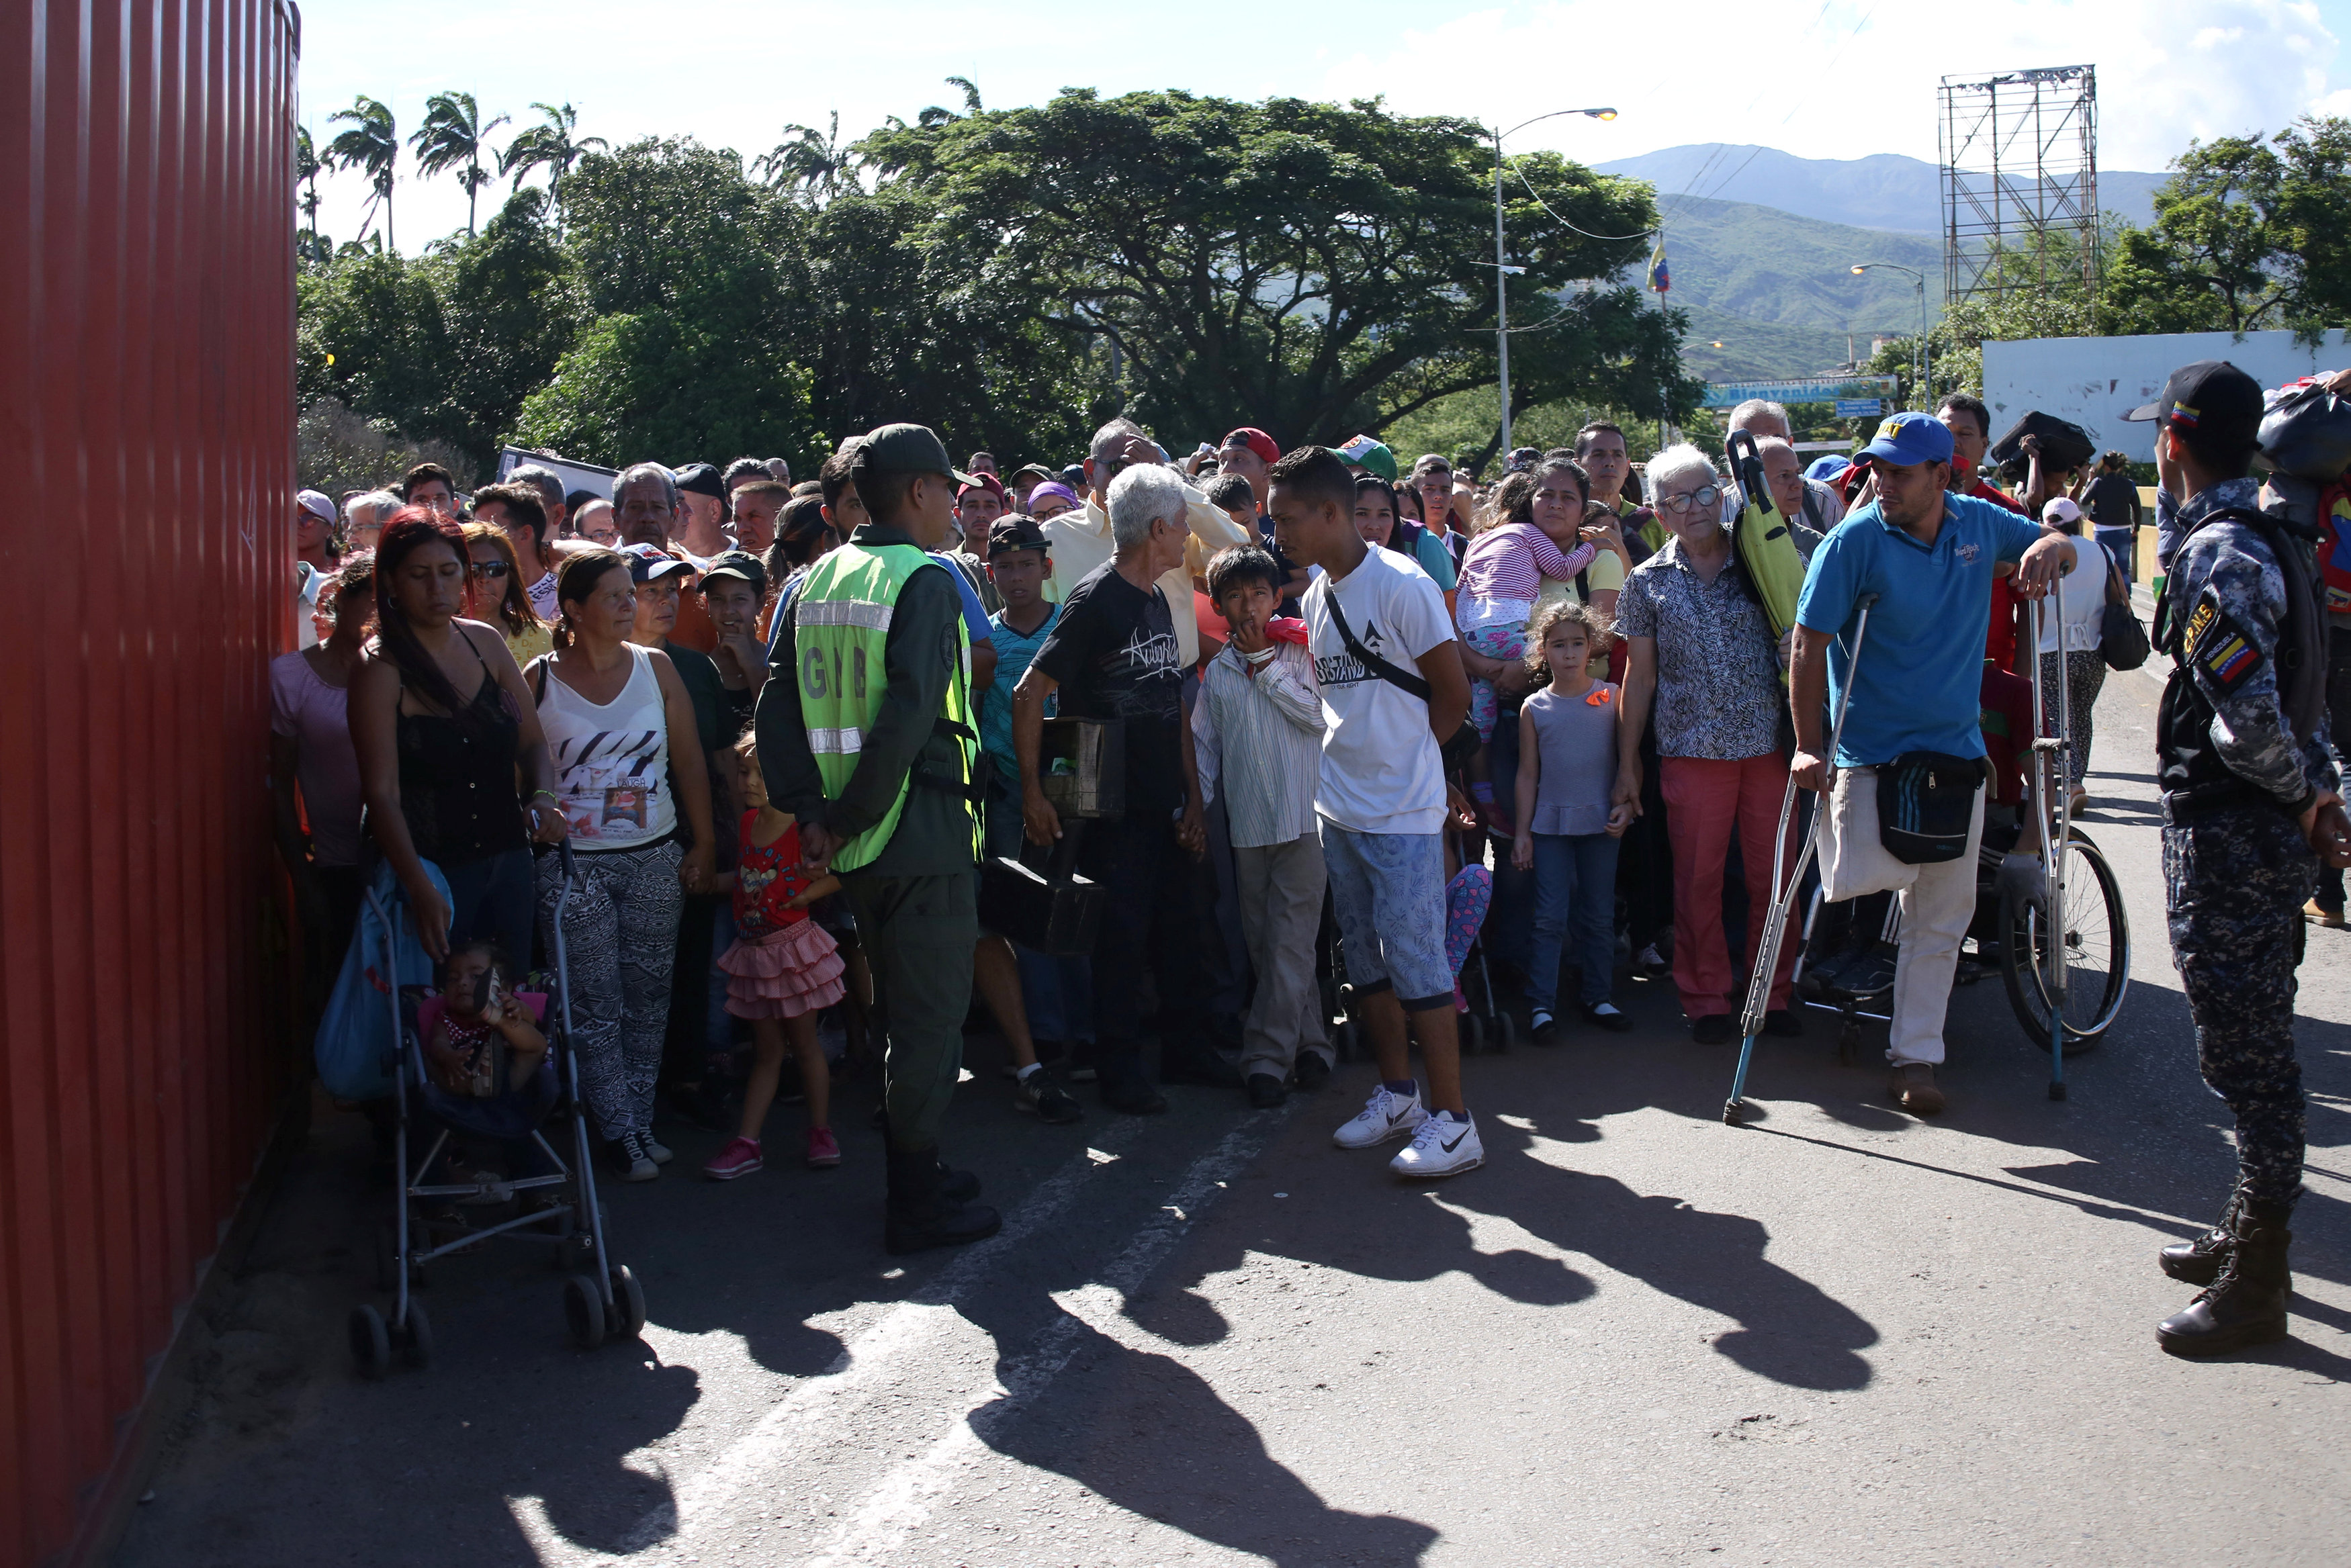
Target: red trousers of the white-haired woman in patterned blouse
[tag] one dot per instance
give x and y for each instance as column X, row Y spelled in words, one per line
column 1703, row 800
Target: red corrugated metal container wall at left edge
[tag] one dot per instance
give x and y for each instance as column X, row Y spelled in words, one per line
column 147, row 429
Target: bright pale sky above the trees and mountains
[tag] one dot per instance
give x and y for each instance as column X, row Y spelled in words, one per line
column 1821, row 79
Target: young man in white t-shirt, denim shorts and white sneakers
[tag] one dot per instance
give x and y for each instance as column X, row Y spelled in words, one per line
column 1391, row 683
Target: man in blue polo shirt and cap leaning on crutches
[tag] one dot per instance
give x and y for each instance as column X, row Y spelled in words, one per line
column 1931, row 561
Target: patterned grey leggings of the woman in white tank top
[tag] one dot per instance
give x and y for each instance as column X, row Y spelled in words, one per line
column 619, row 944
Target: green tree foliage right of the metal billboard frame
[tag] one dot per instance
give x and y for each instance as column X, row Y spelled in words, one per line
column 2249, row 234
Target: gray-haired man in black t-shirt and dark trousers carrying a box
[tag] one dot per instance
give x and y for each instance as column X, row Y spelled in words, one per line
column 1113, row 655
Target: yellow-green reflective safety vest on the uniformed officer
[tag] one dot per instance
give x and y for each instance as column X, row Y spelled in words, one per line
column 840, row 629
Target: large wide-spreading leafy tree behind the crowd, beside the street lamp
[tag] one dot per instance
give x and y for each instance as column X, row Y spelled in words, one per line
column 1304, row 267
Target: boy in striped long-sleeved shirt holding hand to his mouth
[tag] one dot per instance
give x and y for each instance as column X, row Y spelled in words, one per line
column 1257, row 737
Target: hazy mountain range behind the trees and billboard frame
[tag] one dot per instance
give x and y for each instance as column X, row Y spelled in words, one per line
column 1762, row 250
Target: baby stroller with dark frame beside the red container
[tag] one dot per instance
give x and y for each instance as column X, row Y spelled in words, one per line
column 434, row 1219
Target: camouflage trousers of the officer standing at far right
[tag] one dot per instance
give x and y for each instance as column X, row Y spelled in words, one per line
column 2235, row 883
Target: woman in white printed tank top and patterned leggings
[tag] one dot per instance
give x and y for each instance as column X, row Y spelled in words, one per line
column 622, row 730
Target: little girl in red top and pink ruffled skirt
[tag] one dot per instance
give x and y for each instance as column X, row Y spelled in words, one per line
column 782, row 970
